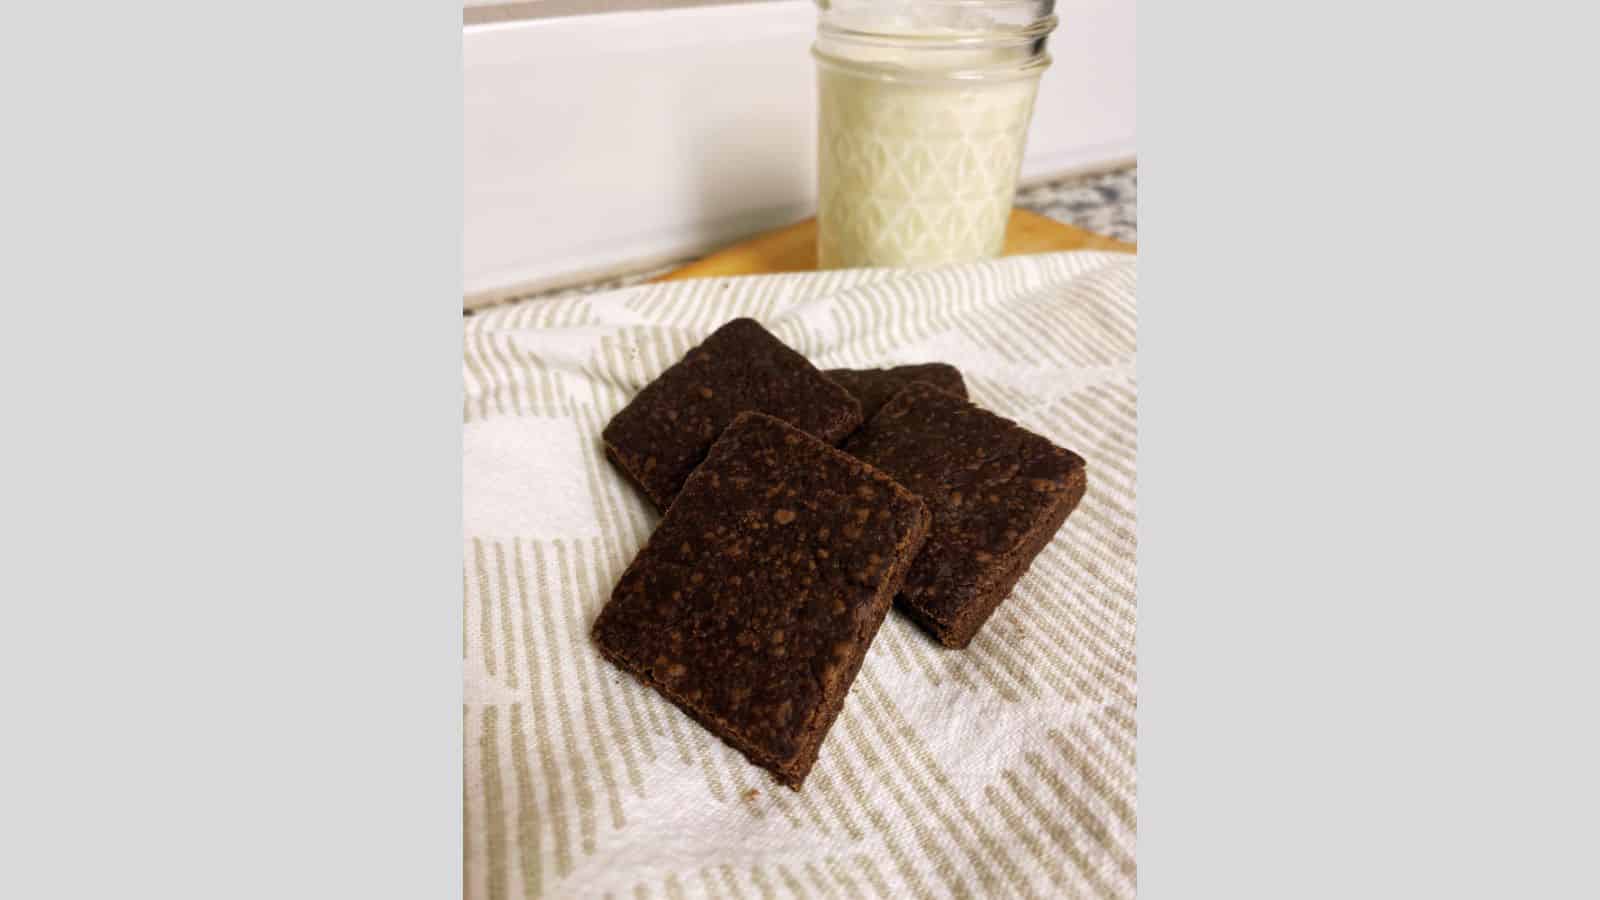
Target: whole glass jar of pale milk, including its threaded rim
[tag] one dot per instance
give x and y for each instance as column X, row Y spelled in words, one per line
column 922, row 119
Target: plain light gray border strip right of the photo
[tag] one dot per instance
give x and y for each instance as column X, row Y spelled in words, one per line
column 1367, row 452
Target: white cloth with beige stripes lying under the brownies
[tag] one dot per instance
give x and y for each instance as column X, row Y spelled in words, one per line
column 1004, row 769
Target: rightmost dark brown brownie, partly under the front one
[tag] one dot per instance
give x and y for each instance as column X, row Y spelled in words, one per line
column 998, row 494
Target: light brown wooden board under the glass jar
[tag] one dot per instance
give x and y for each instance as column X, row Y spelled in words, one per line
column 794, row 249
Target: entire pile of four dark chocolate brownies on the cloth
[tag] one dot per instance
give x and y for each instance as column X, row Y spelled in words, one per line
column 799, row 505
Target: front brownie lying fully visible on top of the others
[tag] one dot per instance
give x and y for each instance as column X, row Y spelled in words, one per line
column 754, row 601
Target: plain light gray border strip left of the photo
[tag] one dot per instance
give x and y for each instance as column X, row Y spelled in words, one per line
column 233, row 573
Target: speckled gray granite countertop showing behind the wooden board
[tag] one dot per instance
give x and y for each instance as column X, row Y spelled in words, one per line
column 1103, row 203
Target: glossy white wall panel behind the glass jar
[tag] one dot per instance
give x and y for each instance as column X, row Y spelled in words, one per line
column 599, row 143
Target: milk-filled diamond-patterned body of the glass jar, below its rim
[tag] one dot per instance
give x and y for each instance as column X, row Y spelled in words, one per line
column 918, row 172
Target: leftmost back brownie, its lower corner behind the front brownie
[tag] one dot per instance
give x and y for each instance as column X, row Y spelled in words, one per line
column 665, row 432
